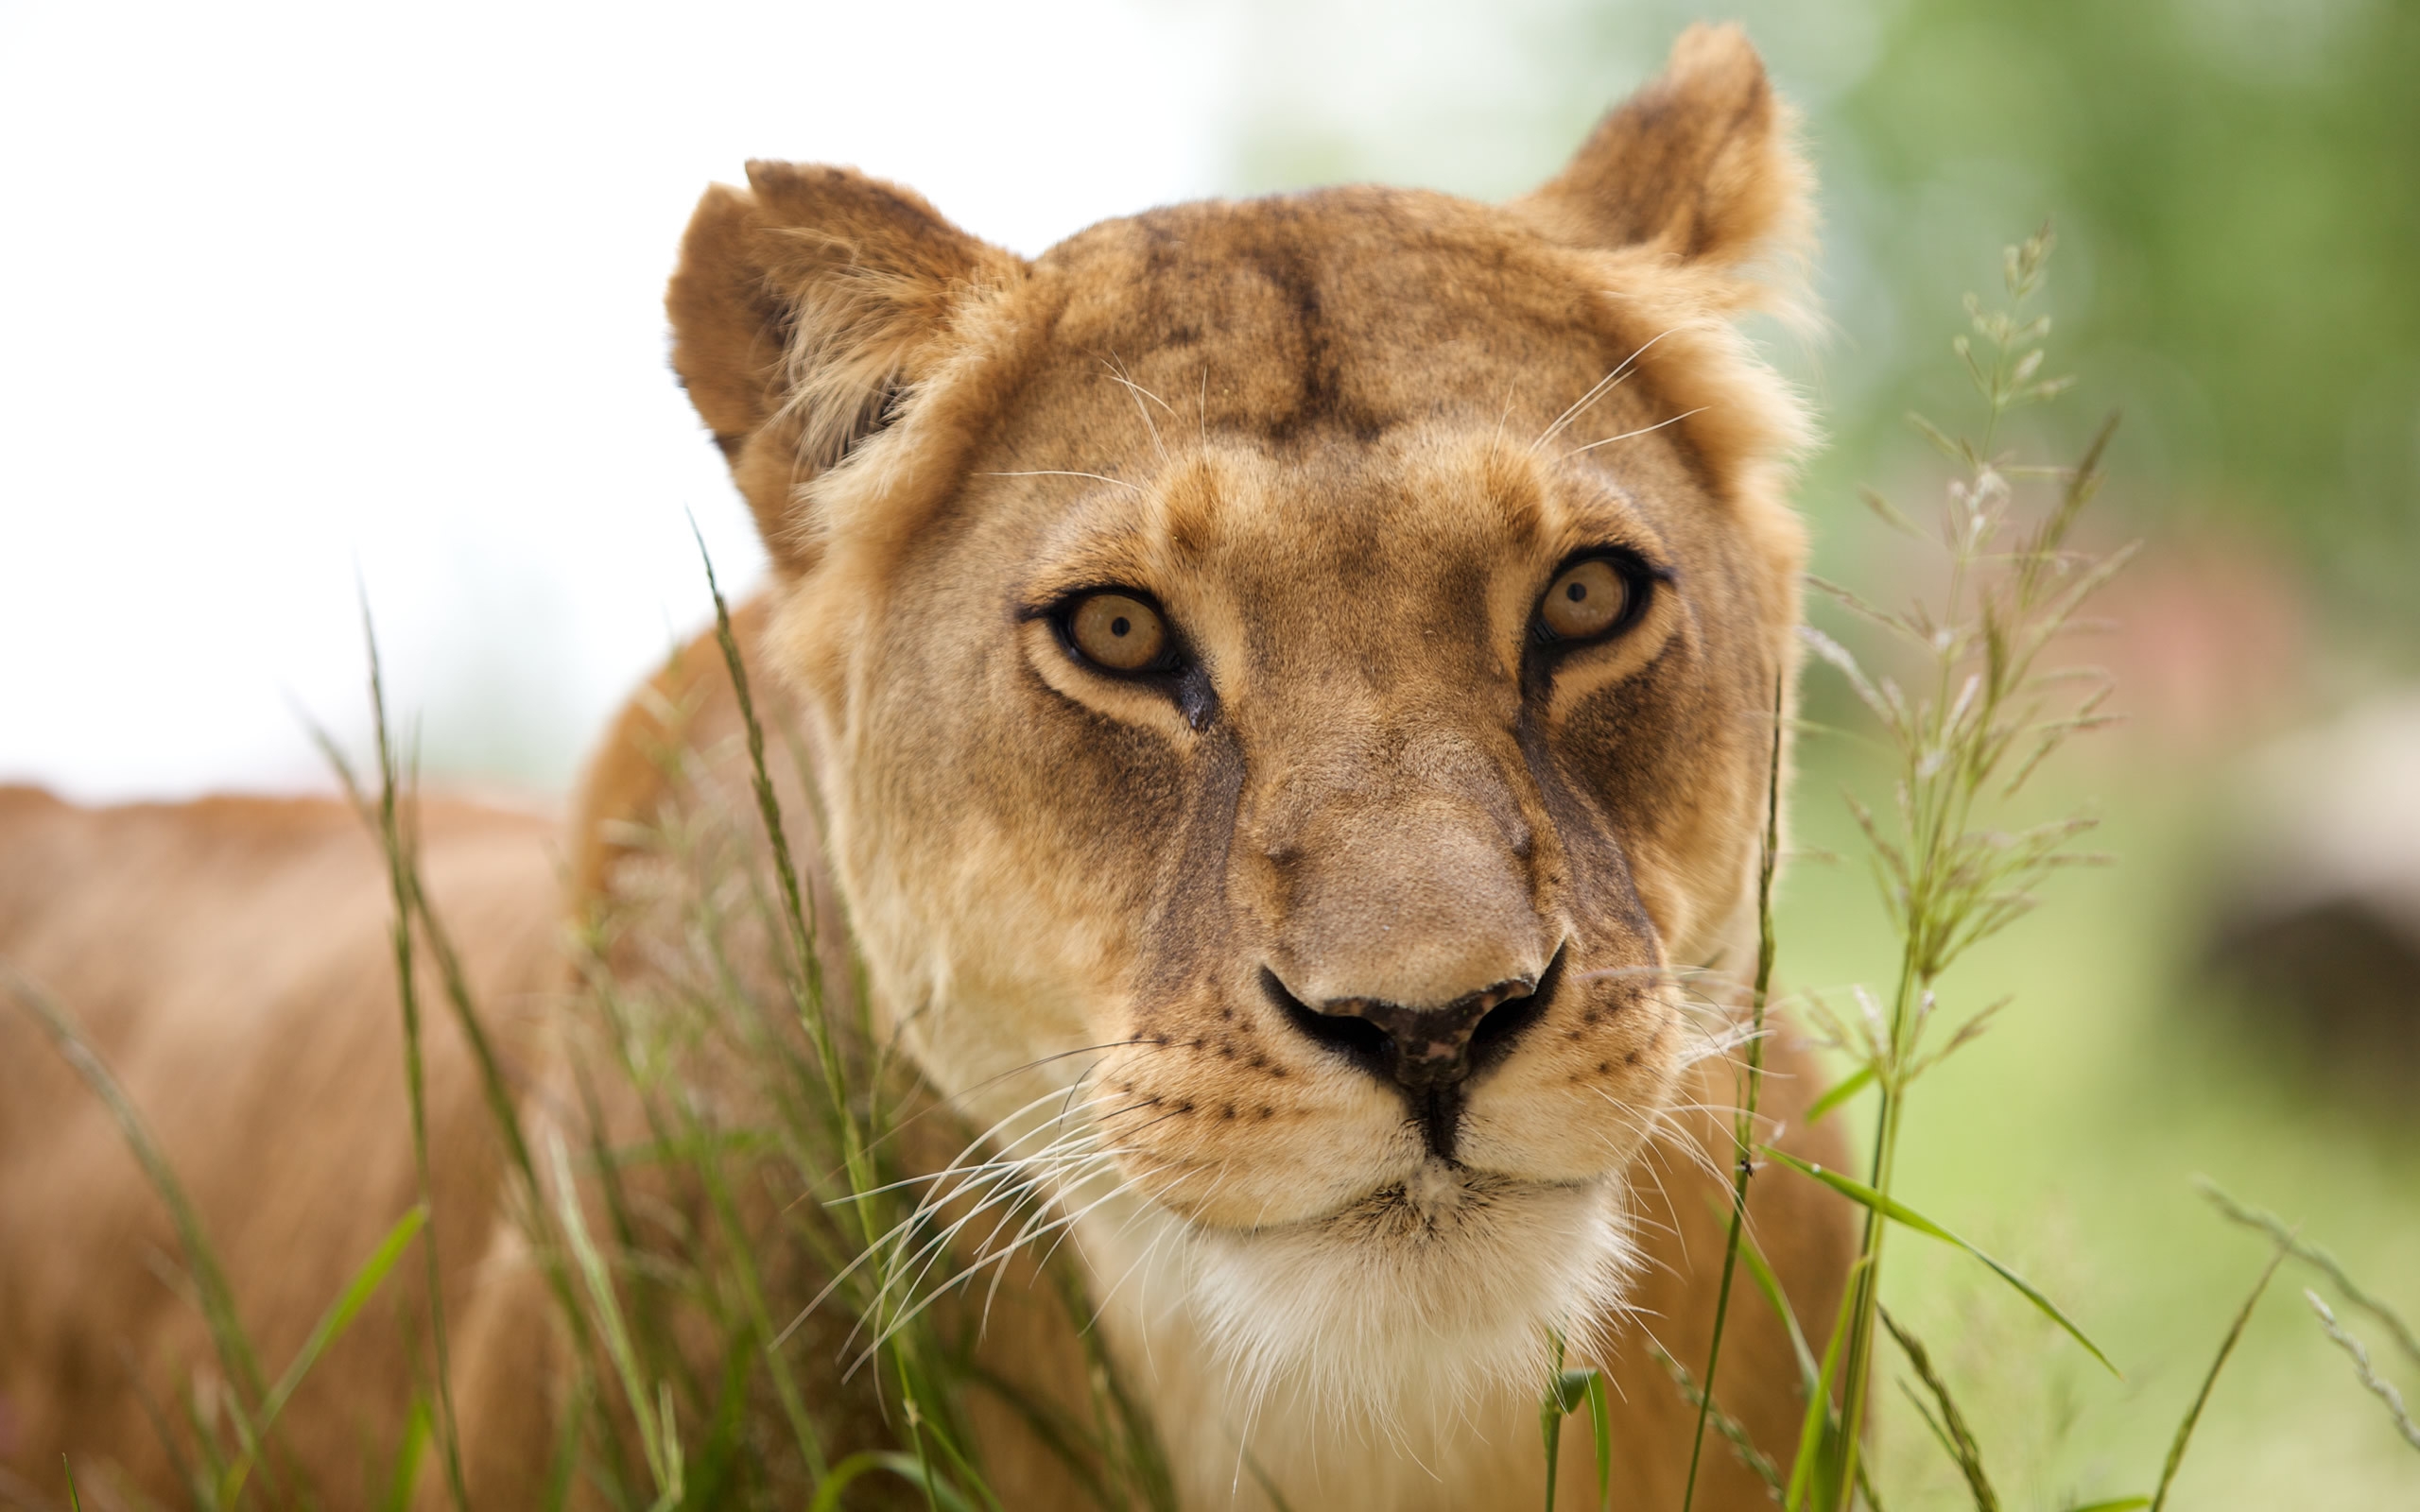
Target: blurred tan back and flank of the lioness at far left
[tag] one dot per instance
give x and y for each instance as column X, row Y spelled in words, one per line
column 231, row 962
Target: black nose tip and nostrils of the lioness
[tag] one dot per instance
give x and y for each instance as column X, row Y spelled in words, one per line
column 1429, row 1054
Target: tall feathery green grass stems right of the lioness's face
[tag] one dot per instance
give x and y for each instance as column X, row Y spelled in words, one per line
column 1966, row 696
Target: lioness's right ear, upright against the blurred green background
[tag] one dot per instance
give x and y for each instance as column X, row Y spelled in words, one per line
column 1698, row 163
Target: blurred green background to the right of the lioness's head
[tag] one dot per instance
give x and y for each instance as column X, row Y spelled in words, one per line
column 2237, row 200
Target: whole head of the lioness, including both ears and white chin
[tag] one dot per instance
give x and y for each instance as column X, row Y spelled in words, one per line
column 1293, row 681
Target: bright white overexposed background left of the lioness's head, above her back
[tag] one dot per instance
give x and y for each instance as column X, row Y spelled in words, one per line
column 296, row 292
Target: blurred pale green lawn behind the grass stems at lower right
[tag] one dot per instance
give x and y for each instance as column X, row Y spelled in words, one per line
column 2070, row 1143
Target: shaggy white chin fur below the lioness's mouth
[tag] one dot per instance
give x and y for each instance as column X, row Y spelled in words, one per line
column 1412, row 1308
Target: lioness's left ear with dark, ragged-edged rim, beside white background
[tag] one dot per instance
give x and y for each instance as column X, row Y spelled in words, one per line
column 805, row 313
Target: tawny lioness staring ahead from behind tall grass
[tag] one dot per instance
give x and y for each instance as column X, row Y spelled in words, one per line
column 1303, row 669
